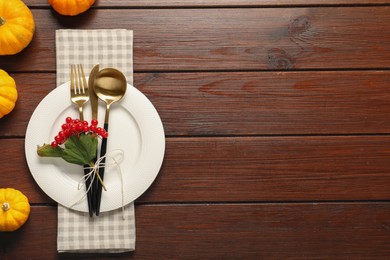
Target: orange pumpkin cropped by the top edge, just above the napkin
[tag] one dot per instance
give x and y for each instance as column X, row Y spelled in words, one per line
column 71, row 7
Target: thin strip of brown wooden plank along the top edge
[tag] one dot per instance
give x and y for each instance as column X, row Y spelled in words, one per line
column 215, row 3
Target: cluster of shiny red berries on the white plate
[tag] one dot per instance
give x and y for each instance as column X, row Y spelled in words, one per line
column 76, row 127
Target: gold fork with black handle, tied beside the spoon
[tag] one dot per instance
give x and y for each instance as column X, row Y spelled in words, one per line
column 79, row 94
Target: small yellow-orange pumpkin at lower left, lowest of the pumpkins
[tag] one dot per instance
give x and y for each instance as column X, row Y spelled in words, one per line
column 14, row 209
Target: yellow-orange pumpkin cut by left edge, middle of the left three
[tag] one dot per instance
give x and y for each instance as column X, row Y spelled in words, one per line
column 8, row 93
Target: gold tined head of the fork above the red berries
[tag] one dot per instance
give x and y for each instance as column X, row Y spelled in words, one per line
column 79, row 92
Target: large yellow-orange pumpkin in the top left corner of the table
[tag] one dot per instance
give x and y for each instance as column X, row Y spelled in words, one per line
column 17, row 26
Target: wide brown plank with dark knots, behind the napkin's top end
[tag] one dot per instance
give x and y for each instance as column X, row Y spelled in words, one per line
column 239, row 38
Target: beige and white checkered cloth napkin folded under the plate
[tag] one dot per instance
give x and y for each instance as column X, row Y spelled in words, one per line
column 112, row 231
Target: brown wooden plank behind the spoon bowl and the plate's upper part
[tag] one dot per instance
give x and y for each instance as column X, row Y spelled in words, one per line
column 243, row 103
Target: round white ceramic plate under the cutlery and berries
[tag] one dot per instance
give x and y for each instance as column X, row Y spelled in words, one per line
column 134, row 128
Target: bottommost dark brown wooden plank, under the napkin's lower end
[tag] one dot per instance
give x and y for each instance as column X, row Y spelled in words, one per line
column 277, row 231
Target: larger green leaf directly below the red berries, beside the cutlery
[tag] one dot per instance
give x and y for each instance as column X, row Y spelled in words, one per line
column 80, row 149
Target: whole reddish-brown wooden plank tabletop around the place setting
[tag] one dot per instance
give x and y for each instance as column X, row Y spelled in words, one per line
column 277, row 122
